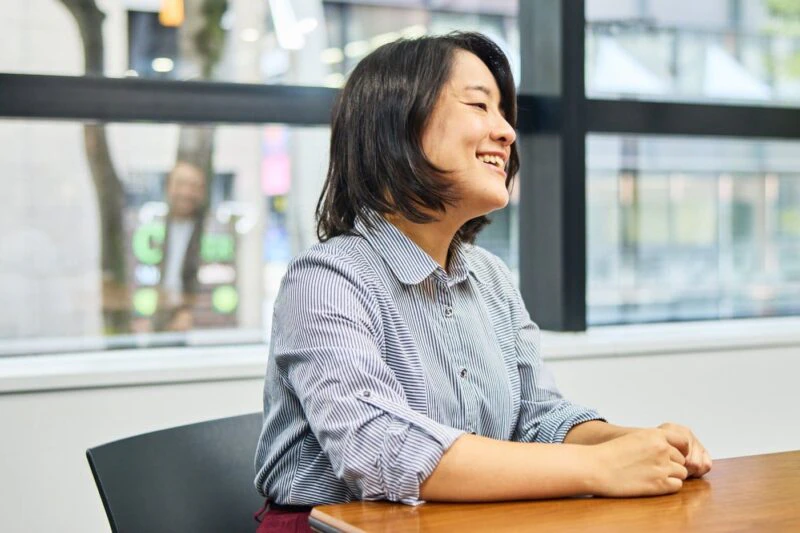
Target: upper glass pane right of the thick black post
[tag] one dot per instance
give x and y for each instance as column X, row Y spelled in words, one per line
column 745, row 51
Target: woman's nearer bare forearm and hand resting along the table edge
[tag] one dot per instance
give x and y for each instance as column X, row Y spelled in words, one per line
column 476, row 468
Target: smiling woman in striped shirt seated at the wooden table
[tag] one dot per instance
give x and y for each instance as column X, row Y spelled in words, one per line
column 403, row 363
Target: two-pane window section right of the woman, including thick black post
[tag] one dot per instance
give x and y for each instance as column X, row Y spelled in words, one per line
column 659, row 161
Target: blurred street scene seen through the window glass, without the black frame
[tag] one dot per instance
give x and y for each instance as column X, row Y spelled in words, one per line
column 677, row 228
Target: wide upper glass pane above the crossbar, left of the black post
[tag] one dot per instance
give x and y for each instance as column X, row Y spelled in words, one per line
column 251, row 41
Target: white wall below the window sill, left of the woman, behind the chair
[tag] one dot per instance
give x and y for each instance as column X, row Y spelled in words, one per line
column 45, row 480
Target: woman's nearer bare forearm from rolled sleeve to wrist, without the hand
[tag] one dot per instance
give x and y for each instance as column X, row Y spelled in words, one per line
column 481, row 469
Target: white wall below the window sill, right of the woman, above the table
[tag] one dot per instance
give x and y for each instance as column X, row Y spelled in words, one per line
column 737, row 402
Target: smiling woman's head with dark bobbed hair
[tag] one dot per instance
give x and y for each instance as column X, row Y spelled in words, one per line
column 425, row 110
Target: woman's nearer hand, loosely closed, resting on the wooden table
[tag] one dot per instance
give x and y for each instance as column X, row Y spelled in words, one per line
column 641, row 463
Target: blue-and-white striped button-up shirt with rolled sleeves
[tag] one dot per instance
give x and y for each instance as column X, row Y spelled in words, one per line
column 380, row 360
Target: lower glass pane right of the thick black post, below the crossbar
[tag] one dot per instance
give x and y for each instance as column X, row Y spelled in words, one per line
column 684, row 228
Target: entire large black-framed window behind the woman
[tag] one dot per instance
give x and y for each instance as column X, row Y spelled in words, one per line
column 659, row 178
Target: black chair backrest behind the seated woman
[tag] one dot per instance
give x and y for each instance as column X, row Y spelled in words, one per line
column 193, row 478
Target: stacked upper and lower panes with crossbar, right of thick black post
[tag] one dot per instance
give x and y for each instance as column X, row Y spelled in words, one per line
column 684, row 228
